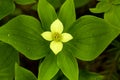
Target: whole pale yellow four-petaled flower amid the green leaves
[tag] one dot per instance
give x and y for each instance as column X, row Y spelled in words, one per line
column 56, row 36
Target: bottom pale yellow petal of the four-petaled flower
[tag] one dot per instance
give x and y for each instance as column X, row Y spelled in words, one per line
column 56, row 47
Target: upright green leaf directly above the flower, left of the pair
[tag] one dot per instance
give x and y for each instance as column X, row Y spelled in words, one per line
column 46, row 13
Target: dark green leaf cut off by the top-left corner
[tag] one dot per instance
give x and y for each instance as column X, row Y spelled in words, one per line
column 6, row 7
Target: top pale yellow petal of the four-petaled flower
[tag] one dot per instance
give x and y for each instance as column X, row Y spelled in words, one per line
column 57, row 26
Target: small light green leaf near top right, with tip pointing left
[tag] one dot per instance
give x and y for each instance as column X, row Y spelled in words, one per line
column 101, row 7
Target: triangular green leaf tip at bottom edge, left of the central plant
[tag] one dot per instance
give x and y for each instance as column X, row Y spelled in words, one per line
column 23, row 74
